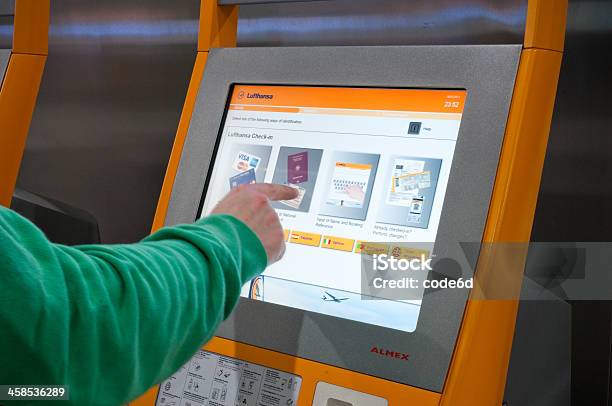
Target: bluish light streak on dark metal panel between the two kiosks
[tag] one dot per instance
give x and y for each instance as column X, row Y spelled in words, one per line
column 167, row 28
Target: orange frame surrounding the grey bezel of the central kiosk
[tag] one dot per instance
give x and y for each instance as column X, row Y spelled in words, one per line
column 484, row 343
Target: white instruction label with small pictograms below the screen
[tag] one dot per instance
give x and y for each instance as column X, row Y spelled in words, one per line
column 210, row 379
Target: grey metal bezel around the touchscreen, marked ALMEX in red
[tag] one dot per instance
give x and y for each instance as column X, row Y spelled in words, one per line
column 488, row 74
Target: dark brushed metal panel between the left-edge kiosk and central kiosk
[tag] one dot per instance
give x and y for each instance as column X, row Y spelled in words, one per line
column 109, row 106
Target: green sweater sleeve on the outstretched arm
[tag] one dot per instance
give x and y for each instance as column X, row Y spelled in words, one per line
column 112, row 321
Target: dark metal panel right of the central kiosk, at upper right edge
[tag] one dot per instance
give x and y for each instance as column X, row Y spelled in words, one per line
column 575, row 201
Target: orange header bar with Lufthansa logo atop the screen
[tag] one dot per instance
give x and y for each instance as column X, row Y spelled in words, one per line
column 422, row 100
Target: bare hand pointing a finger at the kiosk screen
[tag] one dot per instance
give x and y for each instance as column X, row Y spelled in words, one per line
column 251, row 204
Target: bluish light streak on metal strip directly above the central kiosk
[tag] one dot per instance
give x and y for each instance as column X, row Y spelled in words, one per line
column 446, row 17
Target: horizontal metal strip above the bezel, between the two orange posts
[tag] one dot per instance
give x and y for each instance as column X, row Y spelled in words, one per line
column 383, row 22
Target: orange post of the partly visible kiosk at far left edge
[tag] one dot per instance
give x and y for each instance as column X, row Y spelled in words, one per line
column 21, row 70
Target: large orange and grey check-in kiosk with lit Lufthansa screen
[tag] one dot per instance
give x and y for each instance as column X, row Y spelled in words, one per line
column 391, row 145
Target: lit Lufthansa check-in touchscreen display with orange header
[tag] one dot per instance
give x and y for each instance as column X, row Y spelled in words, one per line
column 370, row 165
